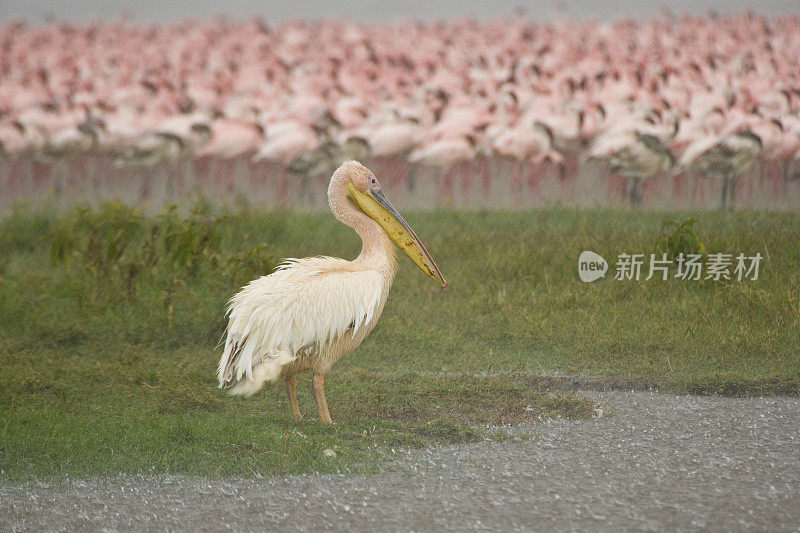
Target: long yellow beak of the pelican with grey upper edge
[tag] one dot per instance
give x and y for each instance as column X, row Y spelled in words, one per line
column 378, row 208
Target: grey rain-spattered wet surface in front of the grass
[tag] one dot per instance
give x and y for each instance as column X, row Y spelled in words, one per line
column 659, row 462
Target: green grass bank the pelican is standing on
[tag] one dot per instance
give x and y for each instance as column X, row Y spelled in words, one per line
column 96, row 379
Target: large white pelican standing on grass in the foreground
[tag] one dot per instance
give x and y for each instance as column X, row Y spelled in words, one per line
column 312, row 311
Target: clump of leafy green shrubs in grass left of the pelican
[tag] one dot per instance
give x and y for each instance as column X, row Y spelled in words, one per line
column 118, row 245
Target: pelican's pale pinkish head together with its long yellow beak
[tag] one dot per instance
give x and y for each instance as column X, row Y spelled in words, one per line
column 365, row 195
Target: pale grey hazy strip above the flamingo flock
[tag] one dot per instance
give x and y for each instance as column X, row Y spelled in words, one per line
column 366, row 10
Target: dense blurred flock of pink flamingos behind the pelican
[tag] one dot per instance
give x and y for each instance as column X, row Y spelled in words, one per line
column 666, row 109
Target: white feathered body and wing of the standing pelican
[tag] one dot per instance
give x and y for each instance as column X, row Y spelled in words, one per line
column 302, row 308
